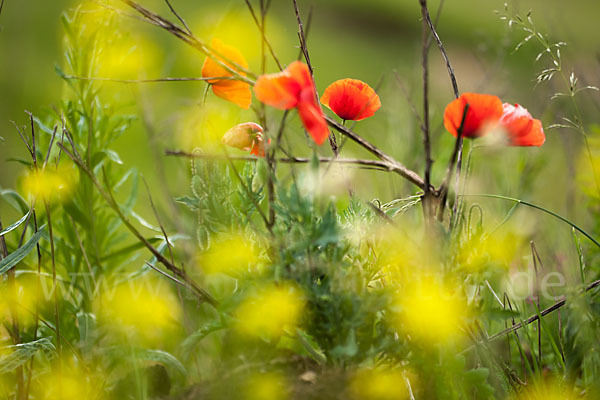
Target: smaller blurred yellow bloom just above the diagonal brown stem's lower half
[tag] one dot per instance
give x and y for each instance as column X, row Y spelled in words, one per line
column 231, row 254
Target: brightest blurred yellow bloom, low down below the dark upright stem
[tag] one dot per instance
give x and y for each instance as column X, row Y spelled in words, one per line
column 429, row 311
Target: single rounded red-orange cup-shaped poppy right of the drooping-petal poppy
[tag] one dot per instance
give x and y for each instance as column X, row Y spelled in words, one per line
column 351, row 99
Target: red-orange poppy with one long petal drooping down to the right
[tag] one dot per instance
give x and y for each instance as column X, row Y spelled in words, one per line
column 294, row 88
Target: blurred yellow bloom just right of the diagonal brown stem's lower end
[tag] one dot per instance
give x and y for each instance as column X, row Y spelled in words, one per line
column 270, row 312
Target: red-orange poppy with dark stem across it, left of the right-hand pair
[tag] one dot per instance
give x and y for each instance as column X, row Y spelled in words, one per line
column 484, row 111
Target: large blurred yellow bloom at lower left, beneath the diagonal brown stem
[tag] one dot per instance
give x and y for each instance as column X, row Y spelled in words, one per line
column 142, row 310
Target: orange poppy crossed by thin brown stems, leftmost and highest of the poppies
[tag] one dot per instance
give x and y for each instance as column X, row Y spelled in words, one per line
column 237, row 92
